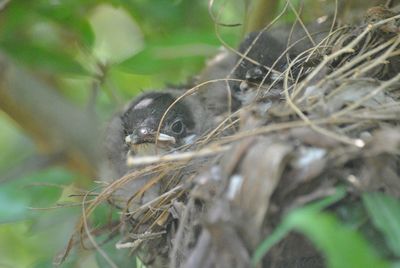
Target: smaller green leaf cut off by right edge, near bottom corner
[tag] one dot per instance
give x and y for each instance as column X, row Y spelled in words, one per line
column 385, row 214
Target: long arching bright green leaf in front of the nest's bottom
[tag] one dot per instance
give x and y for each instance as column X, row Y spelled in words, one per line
column 342, row 246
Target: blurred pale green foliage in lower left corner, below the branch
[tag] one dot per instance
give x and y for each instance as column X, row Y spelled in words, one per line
column 28, row 235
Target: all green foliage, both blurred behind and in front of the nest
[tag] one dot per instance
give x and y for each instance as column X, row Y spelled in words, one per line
column 130, row 46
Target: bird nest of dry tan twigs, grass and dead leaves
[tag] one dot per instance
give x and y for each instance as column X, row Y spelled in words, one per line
column 330, row 117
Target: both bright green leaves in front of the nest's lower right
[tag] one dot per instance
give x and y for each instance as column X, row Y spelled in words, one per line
column 342, row 245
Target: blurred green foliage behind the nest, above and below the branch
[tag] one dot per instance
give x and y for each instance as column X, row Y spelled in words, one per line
column 64, row 43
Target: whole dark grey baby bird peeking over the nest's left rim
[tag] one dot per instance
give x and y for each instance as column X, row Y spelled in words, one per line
column 133, row 133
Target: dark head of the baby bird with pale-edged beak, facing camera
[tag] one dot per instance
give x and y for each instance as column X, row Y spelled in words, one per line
column 142, row 119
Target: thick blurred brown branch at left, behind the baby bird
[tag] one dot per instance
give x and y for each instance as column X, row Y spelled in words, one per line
column 53, row 123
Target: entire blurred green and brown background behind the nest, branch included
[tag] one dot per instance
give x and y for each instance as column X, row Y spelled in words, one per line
column 66, row 67
